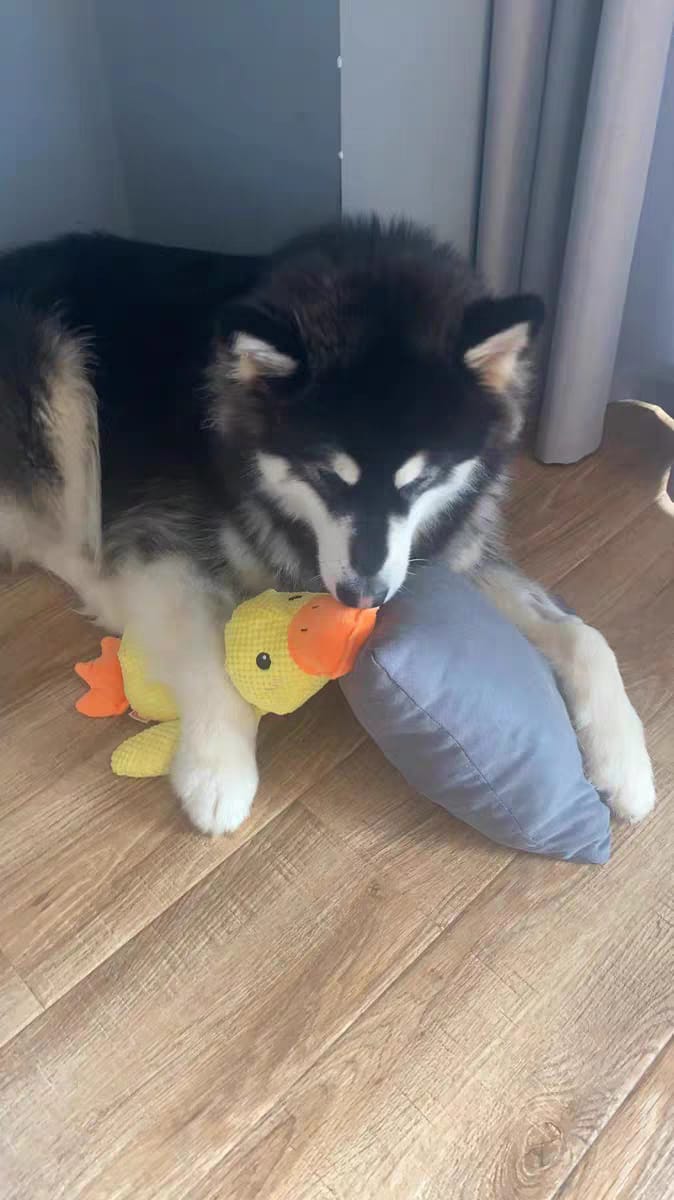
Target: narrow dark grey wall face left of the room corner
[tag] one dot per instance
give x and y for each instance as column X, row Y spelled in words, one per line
column 59, row 167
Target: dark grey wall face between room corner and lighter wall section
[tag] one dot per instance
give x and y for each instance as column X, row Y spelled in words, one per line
column 227, row 113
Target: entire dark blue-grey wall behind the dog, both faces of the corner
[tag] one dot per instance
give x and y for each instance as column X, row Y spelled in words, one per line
column 214, row 124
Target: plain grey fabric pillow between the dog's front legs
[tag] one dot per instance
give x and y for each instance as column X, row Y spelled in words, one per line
column 471, row 715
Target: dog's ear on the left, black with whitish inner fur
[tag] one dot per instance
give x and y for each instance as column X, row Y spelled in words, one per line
column 261, row 345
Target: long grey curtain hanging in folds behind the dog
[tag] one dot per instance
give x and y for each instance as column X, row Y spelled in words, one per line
column 573, row 104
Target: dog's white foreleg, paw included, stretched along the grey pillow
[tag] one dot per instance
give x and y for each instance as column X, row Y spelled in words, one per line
column 610, row 733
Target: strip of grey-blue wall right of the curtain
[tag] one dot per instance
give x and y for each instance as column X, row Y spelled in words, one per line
column 646, row 359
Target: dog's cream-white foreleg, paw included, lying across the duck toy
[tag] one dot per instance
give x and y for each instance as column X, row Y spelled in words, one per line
column 180, row 627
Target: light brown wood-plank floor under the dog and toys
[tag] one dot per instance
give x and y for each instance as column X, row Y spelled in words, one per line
column 354, row 997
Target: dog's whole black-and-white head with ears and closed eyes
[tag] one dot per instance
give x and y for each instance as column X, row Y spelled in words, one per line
column 372, row 385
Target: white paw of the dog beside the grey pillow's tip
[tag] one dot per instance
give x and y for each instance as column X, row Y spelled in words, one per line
column 618, row 763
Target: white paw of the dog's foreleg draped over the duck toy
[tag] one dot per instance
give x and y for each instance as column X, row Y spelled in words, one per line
column 218, row 793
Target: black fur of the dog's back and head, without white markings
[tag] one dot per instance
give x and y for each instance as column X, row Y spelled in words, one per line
column 377, row 321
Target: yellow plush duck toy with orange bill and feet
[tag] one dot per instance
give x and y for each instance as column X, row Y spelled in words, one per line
column 280, row 650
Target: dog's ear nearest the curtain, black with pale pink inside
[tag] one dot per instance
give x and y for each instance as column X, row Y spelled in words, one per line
column 495, row 334
